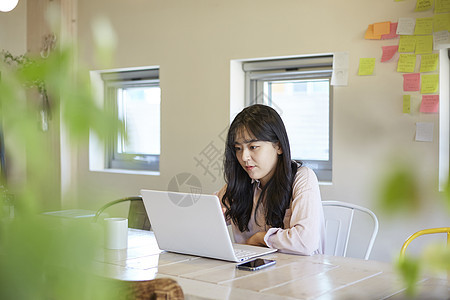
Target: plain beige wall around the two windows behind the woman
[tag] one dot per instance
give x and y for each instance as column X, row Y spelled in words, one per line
column 194, row 41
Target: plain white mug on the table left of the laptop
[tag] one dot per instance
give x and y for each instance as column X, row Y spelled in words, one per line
column 116, row 233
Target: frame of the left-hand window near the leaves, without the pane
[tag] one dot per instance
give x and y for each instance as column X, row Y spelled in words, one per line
column 127, row 79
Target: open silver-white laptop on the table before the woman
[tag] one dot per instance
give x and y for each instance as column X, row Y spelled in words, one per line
column 194, row 224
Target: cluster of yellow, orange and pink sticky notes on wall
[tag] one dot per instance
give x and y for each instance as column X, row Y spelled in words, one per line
column 419, row 40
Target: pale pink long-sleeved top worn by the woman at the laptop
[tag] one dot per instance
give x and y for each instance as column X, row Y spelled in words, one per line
column 304, row 231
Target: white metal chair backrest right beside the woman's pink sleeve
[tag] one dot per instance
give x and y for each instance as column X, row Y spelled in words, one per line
column 339, row 219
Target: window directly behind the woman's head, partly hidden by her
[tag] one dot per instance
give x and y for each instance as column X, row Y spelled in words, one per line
column 300, row 90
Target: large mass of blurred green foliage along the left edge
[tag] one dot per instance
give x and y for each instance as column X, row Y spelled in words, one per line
column 44, row 257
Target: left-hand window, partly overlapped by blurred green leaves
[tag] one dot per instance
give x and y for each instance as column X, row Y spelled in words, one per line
column 135, row 97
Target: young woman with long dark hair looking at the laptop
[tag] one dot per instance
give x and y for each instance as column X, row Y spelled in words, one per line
column 269, row 199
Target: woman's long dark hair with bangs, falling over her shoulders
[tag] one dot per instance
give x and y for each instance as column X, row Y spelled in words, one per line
column 264, row 124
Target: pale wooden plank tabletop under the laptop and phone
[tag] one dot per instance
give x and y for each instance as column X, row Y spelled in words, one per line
column 293, row 276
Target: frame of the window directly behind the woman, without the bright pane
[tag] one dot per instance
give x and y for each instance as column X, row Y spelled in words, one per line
column 312, row 67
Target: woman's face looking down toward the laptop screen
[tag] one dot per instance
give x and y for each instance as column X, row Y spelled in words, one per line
column 258, row 158
